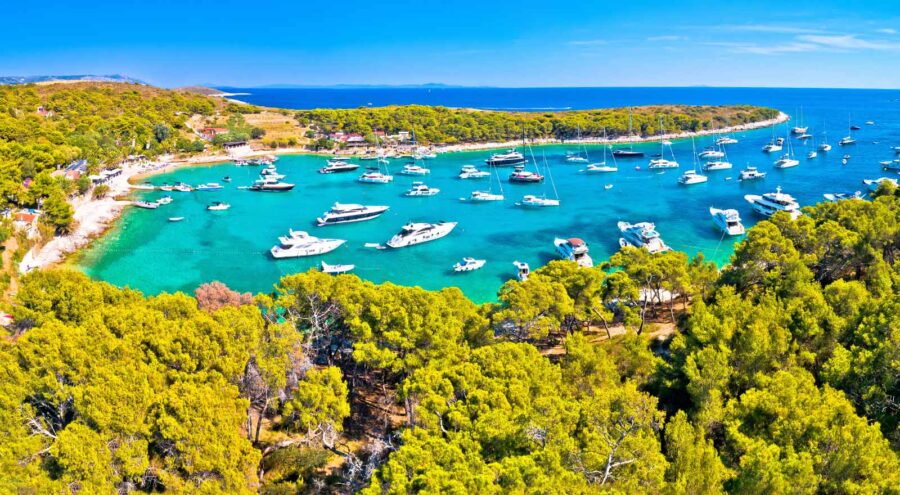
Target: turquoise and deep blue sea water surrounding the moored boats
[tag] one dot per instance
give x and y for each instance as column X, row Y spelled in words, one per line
column 147, row 252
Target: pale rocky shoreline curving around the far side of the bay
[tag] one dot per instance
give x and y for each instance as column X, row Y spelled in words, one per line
column 94, row 217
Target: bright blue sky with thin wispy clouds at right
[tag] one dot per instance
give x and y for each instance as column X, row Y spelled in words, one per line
column 826, row 43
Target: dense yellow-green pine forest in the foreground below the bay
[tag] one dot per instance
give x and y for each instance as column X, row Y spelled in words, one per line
column 780, row 376
